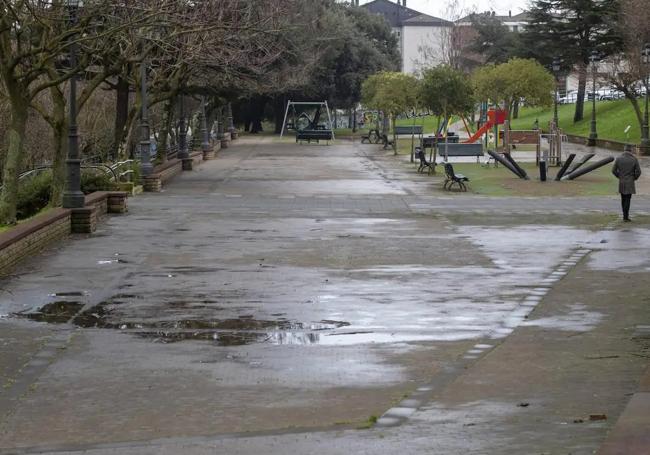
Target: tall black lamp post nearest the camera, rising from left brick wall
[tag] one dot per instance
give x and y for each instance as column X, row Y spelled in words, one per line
column 72, row 195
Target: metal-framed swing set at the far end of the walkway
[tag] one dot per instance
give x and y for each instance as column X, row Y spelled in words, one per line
column 308, row 128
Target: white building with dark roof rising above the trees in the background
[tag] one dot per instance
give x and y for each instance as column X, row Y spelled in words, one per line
column 421, row 37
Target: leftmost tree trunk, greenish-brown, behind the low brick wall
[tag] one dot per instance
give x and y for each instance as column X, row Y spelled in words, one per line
column 13, row 161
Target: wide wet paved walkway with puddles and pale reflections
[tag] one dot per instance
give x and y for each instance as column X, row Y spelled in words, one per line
column 281, row 297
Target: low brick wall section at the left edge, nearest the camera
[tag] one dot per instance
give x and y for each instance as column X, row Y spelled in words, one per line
column 32, row 236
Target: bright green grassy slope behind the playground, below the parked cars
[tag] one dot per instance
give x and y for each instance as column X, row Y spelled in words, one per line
column 612, row 117
